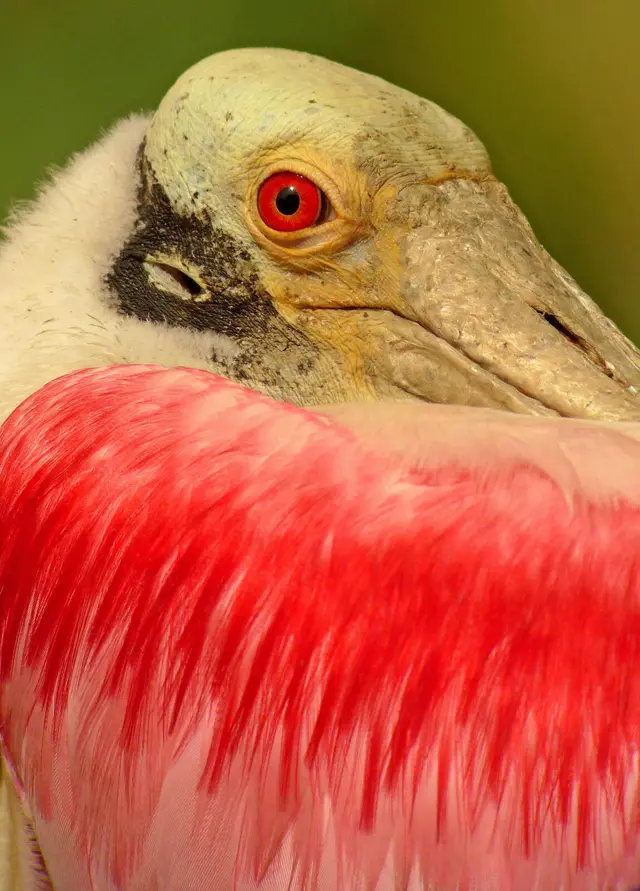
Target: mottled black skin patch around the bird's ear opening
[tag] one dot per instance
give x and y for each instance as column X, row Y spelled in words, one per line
column 235, row 304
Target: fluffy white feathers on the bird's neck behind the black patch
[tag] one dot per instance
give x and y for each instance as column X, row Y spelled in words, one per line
column 56, row 312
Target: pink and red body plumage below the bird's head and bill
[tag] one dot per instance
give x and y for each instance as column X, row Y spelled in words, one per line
column 245, row 645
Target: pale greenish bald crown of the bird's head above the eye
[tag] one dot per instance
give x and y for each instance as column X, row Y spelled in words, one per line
column 239, row 109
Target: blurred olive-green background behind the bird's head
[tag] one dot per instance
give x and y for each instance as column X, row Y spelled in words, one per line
column 551, row 86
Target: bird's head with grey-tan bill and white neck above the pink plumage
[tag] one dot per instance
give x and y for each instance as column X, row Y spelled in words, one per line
column 320, row 236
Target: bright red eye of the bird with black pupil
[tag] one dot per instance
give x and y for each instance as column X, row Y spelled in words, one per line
column 288, row 202
